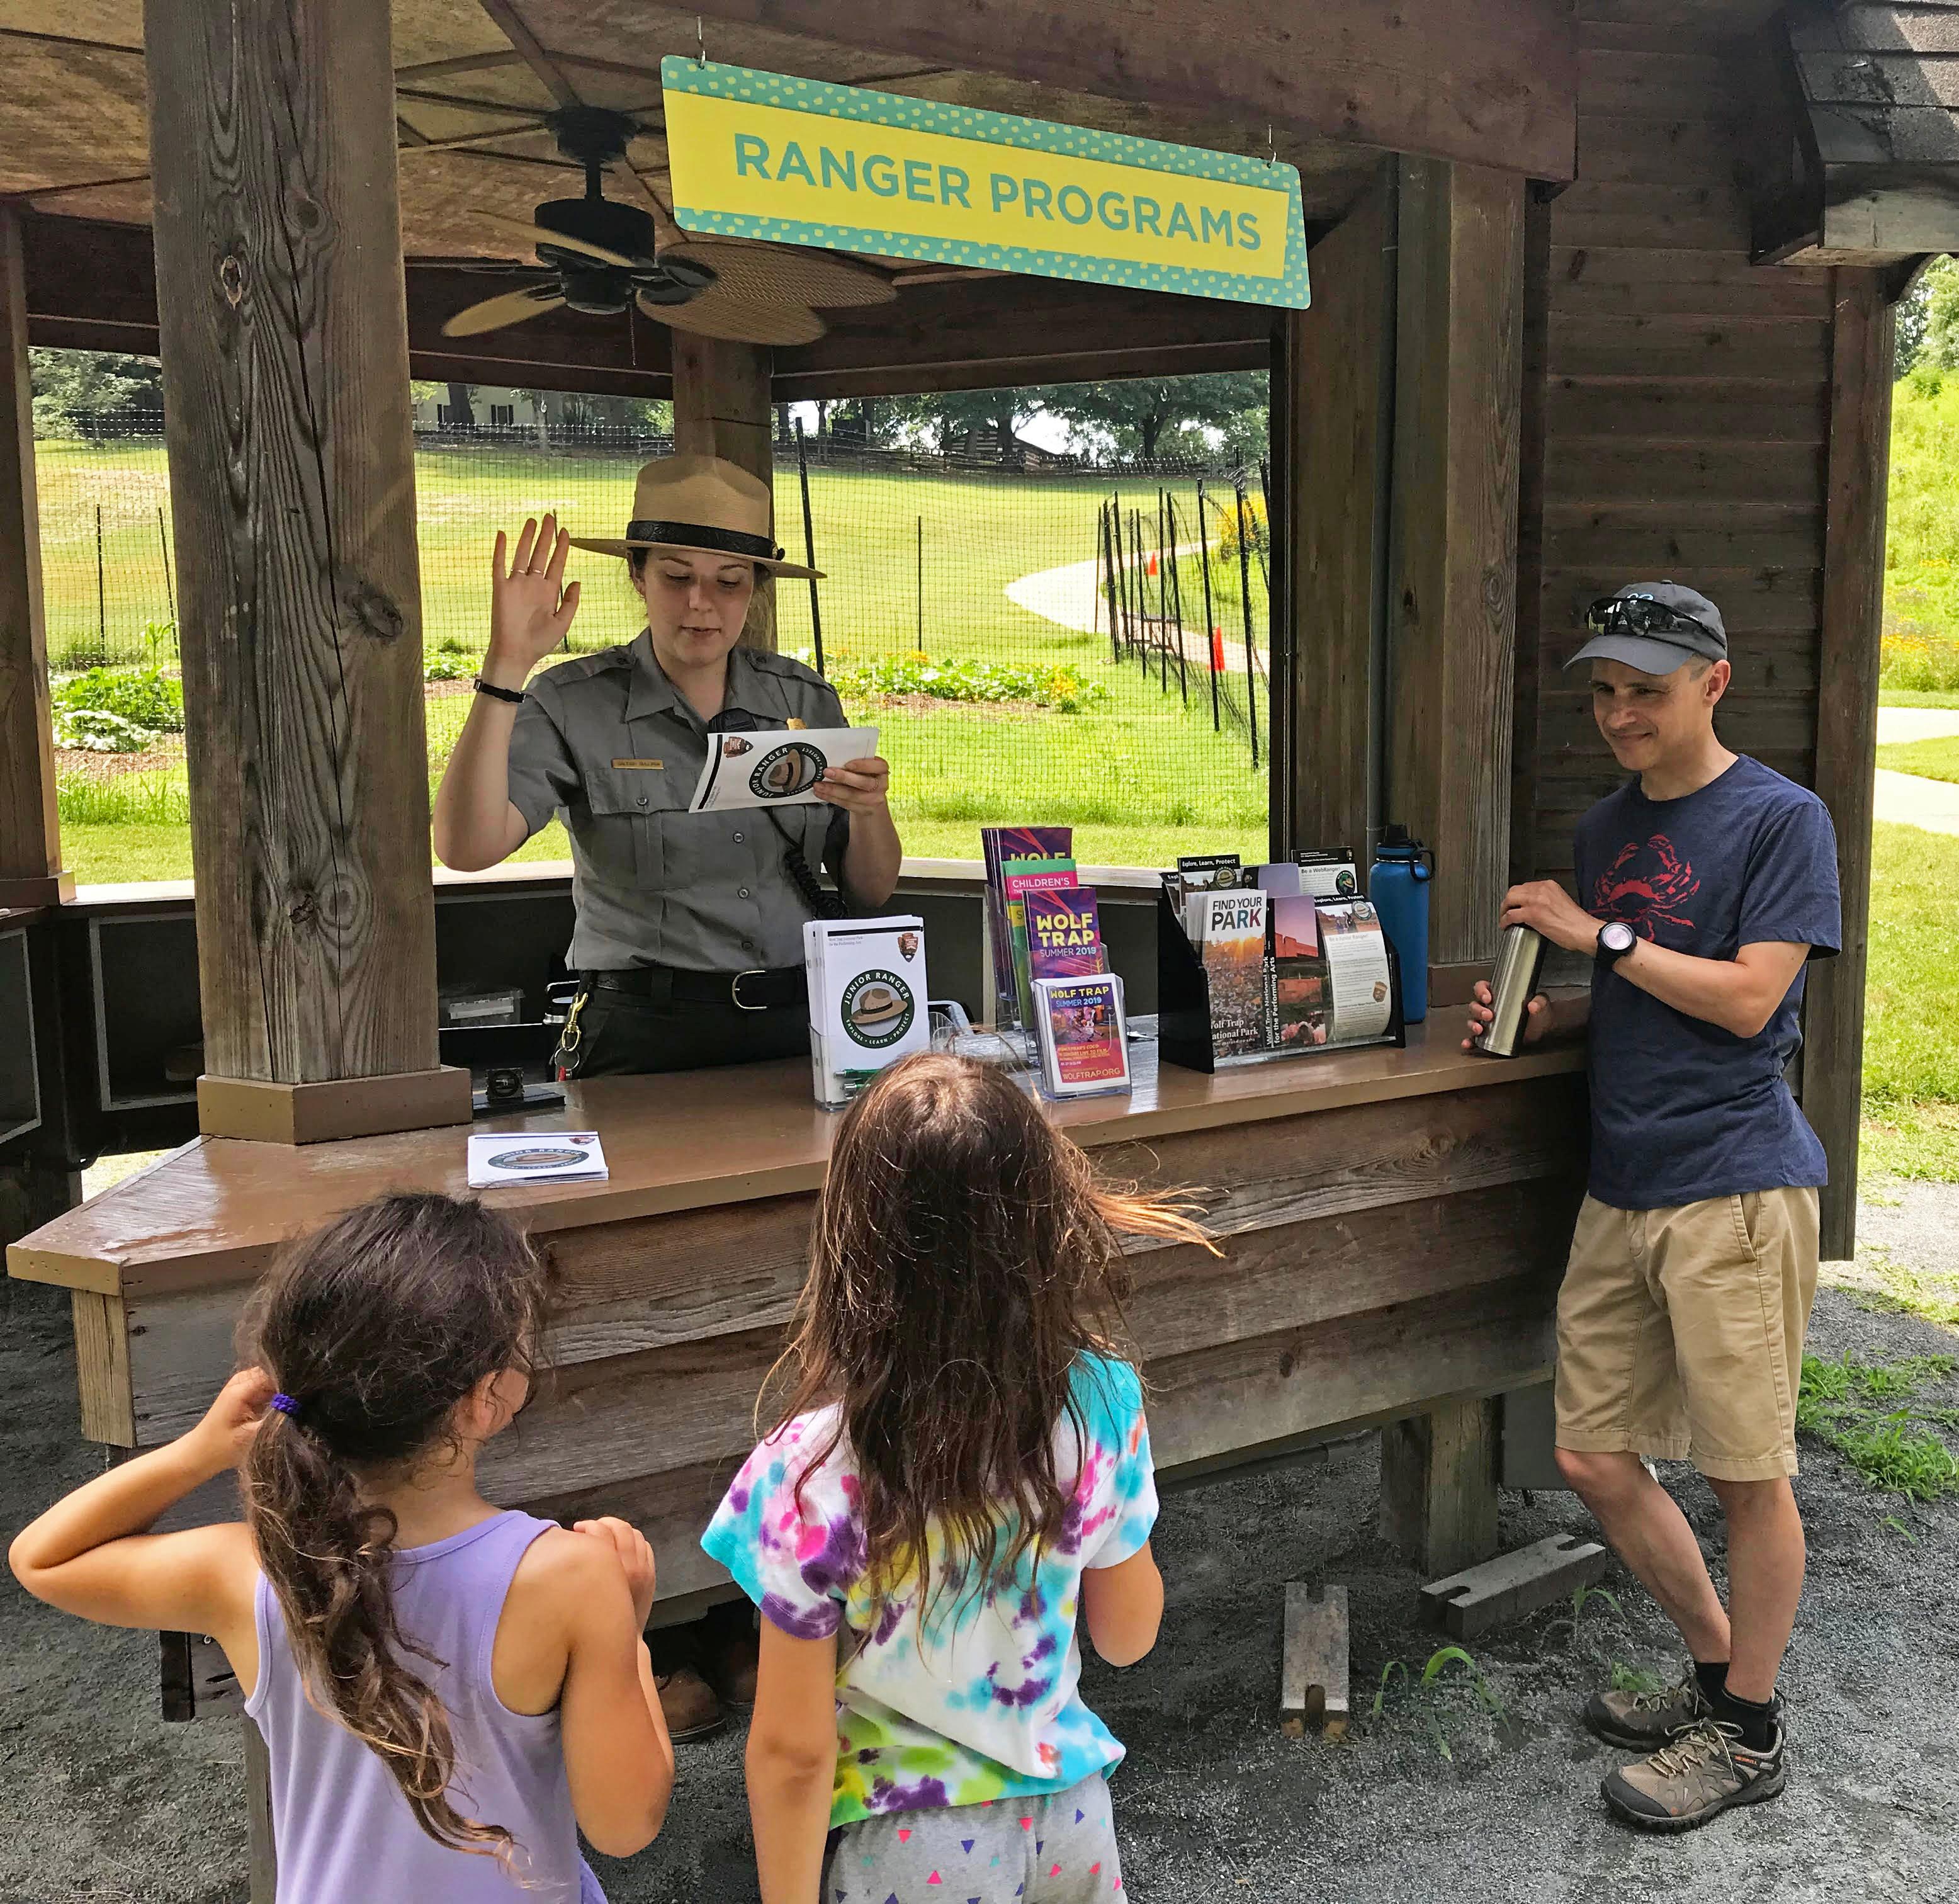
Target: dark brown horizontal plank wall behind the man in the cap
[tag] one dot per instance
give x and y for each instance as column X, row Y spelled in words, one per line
column 1686, row 406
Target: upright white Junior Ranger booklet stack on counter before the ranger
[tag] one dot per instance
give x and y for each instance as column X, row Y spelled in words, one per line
column 867, row 1000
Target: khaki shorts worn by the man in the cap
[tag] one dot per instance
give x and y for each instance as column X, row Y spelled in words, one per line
column 1680, row 1333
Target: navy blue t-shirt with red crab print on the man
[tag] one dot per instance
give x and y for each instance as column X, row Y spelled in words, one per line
column 1684, row 1110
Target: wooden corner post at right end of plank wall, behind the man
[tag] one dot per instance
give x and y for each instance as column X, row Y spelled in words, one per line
column 1846, row 726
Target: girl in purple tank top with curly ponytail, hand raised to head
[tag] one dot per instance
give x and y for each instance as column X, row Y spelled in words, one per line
column 448, row 1693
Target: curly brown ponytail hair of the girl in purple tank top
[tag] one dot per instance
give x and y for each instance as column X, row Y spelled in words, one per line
column 377, row 1327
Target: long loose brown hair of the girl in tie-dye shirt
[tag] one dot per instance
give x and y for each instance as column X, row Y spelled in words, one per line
column 965, row 1255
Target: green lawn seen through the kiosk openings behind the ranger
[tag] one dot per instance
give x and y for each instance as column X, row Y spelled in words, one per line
column 1141, row 775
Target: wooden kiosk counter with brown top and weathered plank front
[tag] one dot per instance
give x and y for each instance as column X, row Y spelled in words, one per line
column 1394, row 1231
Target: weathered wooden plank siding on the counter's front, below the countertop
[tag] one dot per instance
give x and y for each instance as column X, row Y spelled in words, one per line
column 1376, row 1259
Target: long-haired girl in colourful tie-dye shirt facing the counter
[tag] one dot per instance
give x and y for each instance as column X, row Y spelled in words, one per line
column 961, row 1470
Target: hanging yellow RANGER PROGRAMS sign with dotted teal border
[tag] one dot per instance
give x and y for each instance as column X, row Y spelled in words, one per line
column 775, row 158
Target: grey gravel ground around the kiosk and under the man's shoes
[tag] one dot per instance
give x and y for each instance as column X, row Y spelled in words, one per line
column 1437, row 1797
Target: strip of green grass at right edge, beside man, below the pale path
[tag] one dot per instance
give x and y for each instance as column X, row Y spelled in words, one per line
column 1911, row 1029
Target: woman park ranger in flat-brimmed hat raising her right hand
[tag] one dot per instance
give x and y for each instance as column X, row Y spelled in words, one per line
column 689, row 939
